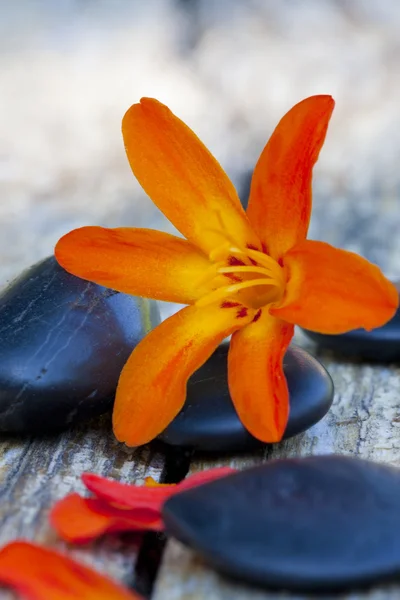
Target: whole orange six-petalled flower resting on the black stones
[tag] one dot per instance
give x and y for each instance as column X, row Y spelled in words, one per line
column 253, row 276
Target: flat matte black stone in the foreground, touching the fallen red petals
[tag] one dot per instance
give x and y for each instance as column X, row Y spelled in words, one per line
column 310, row 524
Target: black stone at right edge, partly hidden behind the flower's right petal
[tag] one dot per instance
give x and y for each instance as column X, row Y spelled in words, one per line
column 381, row 344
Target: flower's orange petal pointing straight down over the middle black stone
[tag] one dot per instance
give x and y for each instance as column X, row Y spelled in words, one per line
column 256, row 380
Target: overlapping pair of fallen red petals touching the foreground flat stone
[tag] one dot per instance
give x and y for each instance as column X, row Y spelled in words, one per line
column 119, row 507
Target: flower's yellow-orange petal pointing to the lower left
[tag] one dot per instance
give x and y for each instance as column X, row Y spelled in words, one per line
column 152, row 387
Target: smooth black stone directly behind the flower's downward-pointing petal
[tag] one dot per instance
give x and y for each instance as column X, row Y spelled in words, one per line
column 208, row 421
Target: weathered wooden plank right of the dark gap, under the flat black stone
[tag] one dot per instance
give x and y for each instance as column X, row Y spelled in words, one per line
column 364, row 421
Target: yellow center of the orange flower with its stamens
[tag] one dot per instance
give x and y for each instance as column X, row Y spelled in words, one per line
column 255, row 278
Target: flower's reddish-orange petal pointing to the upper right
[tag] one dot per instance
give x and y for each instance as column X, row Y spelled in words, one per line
column 280, row 197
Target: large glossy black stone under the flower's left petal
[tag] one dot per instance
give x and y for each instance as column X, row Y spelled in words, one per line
column 63, row 343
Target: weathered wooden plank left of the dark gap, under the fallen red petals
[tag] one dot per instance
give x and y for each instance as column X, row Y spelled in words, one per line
column 34, row 473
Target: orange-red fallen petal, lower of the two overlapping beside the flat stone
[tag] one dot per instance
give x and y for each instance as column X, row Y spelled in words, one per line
column 79, row 520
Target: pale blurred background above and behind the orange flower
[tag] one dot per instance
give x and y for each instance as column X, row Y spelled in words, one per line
column 69, row 69
